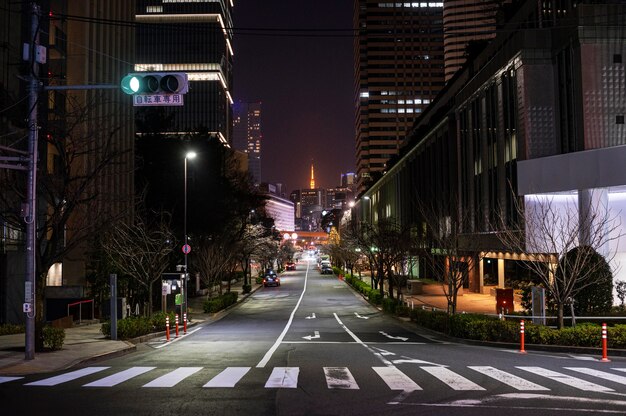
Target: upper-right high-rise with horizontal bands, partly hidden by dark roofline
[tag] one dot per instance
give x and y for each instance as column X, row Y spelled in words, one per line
column 465, row 22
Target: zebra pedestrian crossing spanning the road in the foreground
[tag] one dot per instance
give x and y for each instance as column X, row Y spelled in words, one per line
column 422, row 378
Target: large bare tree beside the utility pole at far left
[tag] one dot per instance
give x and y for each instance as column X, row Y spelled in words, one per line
column 84, row 156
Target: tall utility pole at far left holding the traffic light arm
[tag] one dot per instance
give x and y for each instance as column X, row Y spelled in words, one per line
column 30, row 214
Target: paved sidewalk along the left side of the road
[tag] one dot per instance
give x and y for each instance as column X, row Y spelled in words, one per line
column 85, row 343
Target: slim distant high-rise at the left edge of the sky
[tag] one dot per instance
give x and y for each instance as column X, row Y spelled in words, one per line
column 247, row 135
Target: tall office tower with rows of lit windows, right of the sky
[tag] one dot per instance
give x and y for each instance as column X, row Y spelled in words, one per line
column 399, row 69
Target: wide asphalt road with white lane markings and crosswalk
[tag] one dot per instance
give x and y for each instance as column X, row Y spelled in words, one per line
column 314, row 347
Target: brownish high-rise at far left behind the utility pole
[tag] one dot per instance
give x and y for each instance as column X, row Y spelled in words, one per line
column 85, row 142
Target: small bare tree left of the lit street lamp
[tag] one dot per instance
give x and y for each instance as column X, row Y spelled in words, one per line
column 141, row 251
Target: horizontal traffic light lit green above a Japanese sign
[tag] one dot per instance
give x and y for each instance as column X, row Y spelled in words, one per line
column 155, row 83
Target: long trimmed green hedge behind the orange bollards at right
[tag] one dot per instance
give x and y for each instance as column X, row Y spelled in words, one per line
column 487, row 328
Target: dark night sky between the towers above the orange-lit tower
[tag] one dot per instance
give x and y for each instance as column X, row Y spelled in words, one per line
column 305, row 84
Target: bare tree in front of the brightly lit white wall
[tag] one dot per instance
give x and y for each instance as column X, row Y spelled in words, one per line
column 560, row 242
